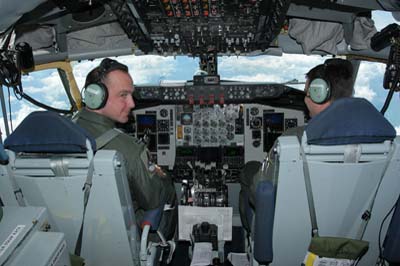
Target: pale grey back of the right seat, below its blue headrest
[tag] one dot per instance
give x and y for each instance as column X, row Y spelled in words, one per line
column 342, row 192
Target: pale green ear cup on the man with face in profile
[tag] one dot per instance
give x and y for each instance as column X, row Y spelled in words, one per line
column 95, row 96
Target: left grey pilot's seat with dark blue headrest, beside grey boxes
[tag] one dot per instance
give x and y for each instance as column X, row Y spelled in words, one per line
column 54, row 165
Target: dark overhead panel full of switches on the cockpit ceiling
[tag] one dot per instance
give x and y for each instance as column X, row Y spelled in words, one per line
column 202, row 26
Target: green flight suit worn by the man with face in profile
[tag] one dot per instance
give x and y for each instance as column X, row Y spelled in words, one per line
column 148, row 190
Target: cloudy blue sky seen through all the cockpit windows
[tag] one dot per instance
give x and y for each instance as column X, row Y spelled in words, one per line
column 46, row 85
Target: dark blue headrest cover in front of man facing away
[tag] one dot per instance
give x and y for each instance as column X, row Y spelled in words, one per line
column 349, row 121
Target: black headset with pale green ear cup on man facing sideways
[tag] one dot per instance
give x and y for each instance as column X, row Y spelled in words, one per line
column 95, row 93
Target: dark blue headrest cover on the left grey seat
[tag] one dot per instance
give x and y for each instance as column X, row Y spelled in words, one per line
column 48, row 132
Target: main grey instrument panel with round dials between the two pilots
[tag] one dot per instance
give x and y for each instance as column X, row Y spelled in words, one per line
column 183, row 137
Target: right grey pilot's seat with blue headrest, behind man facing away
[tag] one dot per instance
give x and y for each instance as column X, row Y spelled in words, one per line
column 352, row 155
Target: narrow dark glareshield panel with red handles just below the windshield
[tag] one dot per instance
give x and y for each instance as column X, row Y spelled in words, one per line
column 206, row 91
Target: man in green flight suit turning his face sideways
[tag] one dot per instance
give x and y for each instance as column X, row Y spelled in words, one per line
column 108, row 100
